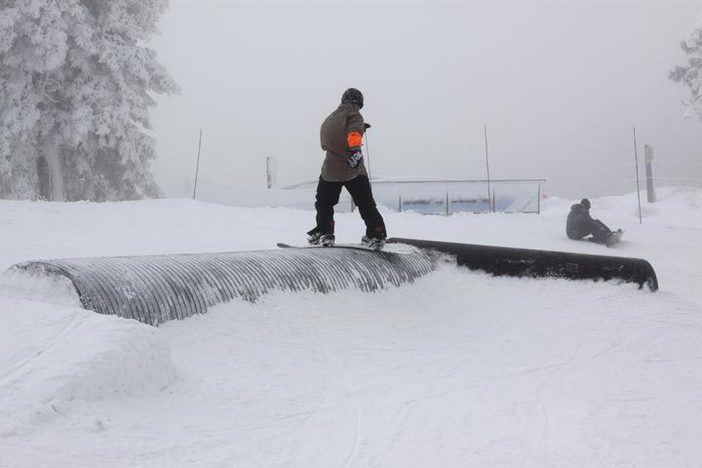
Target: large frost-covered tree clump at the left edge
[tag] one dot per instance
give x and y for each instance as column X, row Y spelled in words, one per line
column 76, row 85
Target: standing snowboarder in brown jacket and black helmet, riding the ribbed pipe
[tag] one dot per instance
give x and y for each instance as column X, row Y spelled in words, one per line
column 341, row 136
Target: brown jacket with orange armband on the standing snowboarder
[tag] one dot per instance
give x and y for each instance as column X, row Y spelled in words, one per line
column 343, row 127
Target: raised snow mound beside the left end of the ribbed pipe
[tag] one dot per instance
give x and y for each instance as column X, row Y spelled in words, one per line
column 57, row 355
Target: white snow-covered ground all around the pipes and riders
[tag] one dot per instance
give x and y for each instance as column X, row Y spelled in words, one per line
column 458, row 369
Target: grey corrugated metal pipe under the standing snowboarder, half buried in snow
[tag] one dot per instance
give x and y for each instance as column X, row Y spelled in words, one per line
column 155, row 289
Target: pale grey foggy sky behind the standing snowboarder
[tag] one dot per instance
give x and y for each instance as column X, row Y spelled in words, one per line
column 559, row 84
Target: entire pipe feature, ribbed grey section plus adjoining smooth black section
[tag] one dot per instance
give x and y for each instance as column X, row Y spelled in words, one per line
column 157, row 288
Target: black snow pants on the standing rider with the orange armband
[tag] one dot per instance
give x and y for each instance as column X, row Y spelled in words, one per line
column 360, row 189
